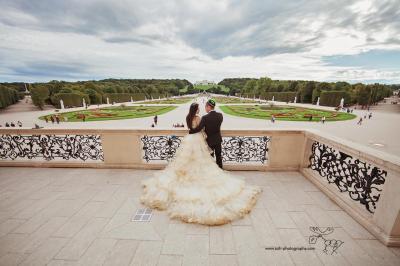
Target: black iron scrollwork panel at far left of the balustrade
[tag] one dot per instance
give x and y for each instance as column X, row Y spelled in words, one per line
column 51, row 147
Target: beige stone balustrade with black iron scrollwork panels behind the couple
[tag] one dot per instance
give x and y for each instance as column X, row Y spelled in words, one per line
column 362, row 181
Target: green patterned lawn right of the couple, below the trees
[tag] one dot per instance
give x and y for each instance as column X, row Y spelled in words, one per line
column 286, row 113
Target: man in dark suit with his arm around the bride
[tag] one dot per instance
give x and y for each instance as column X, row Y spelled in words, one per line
column 212, row 123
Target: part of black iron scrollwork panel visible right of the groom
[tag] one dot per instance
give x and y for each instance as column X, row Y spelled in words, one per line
column 245, row 149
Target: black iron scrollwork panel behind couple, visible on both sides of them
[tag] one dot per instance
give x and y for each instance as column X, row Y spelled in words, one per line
column 234, row 149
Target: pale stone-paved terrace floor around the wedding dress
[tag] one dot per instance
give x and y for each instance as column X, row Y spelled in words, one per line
column 83, row 217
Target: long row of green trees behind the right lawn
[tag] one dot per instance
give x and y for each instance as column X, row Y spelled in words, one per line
column 329, row 93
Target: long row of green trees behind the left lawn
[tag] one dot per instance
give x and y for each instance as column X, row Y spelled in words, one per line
column 97, row 92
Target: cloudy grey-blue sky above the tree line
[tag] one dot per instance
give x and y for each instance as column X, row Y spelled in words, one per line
column 330, row 40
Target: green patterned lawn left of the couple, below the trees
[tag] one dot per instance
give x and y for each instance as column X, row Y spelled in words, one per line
column 113, row 113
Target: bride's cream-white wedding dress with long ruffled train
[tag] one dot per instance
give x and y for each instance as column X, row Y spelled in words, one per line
column 194, row 189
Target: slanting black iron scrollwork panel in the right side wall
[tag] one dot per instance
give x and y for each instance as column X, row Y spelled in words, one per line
column 362, row 181
